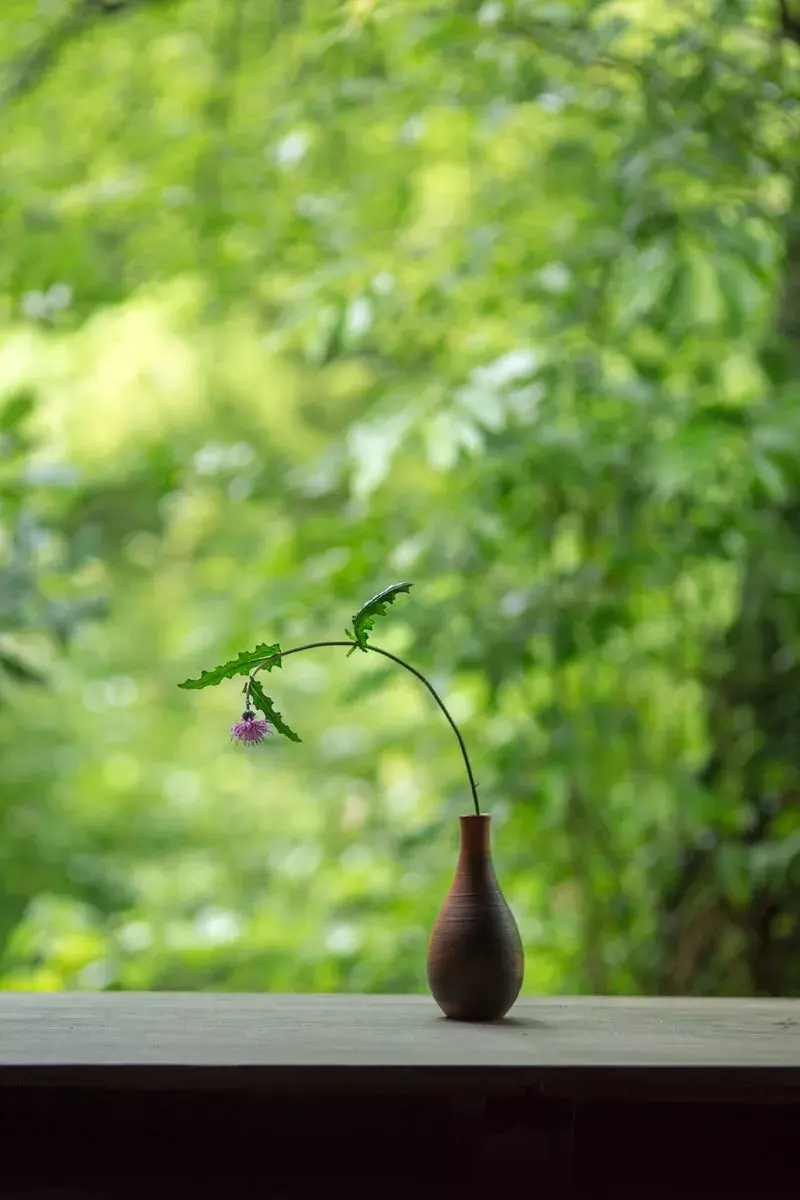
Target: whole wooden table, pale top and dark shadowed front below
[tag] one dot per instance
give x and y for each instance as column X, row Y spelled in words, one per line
column 116, row 1095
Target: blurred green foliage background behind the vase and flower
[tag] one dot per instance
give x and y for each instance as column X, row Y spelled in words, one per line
column 302, row 298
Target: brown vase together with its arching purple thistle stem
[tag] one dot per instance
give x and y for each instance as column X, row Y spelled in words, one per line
column 476, row 957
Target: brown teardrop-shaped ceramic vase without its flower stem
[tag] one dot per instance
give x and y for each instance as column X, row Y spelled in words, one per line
column 476, row 956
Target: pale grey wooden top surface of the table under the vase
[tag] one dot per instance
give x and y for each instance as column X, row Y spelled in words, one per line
column 88, row 1033
